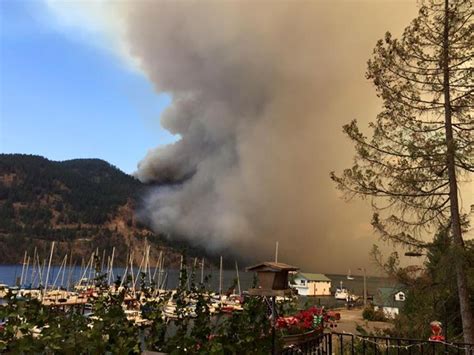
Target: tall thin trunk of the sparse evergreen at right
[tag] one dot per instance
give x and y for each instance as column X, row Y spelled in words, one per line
column 466, row 313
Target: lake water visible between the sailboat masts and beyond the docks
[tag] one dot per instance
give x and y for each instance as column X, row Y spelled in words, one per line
column 10, row 274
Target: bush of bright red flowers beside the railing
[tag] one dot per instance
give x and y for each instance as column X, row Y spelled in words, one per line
column 313, row 318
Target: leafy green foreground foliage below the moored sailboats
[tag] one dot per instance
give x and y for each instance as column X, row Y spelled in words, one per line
column 34, row 328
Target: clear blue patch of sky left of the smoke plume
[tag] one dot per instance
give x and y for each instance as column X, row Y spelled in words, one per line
column 63, row 96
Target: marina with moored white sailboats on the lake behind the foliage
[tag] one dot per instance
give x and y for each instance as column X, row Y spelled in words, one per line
column 72, row 285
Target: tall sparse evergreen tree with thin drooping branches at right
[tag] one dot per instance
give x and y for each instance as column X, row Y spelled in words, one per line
column 422, row 142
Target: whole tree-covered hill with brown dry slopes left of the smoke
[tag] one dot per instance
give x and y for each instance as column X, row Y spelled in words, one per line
column 82, row 204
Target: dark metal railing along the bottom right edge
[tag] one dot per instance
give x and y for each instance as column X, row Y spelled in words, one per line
column 350, row 344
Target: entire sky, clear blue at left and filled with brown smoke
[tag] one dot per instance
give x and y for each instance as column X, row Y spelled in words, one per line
column 256, row 93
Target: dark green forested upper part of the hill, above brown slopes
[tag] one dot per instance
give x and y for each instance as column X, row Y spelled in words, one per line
column 90, row 188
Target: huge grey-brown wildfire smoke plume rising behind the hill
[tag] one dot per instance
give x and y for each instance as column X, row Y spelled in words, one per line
column 260, row 91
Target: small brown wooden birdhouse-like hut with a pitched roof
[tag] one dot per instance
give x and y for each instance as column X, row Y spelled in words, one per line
column 272, row 278
